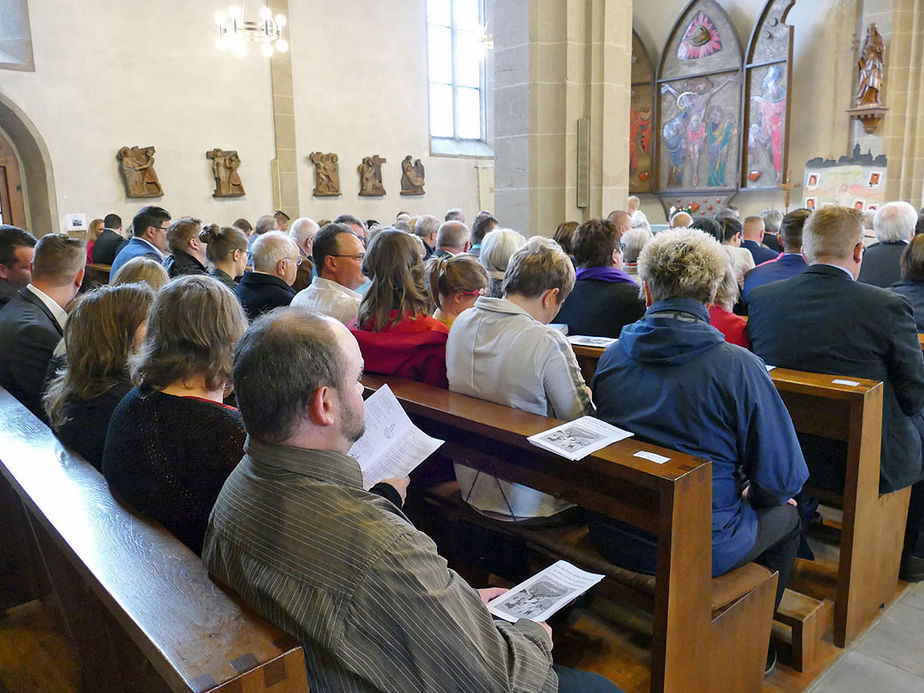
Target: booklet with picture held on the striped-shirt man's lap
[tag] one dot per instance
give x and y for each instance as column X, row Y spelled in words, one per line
column 544, row 593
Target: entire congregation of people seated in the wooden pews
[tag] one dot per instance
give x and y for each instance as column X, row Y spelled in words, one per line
column 216, row 382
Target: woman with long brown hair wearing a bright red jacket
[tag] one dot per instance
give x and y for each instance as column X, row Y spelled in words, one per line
column 394, row 329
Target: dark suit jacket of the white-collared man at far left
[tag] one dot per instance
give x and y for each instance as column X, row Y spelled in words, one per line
column 28, row 337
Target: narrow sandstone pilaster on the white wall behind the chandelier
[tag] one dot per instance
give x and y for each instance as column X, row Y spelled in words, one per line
column 285, row 165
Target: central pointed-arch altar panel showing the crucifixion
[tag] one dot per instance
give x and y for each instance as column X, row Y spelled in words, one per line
column 699, row 107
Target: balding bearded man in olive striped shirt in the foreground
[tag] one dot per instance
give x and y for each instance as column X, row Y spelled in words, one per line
column 341, row 569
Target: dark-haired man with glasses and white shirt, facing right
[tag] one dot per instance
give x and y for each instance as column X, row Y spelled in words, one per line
column 338, row 258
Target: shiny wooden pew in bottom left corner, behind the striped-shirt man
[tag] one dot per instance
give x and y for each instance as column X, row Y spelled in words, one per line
column 126, row 587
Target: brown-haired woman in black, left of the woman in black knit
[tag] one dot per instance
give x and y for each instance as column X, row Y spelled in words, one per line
column 102, row 331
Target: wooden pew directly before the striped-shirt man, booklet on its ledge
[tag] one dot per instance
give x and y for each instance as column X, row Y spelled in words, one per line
column 693, row 647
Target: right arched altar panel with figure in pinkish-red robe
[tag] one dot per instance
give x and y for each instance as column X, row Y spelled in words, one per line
column 766, row 101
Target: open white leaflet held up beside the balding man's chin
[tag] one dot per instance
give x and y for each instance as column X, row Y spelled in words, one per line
column 392, row 445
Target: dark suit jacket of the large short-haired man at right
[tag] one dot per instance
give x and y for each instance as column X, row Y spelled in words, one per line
column 821, row 321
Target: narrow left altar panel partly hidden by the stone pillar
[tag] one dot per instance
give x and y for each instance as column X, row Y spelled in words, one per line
column 640, row 108
